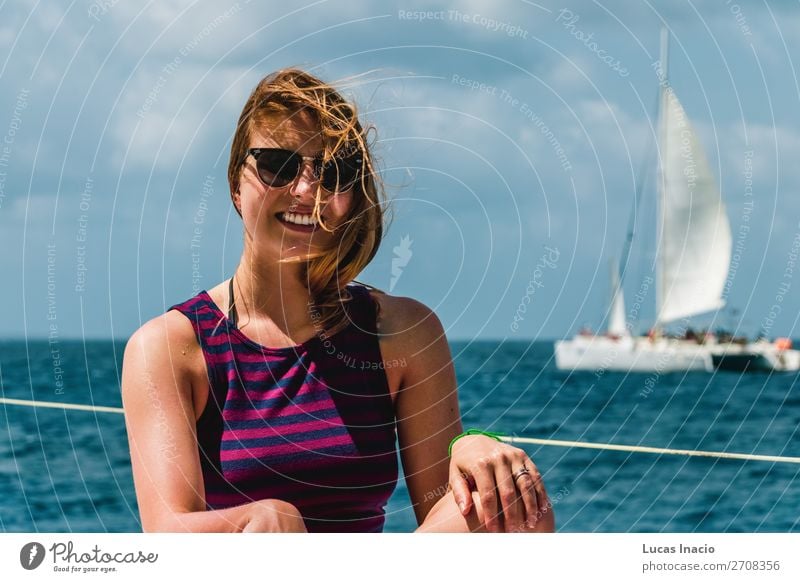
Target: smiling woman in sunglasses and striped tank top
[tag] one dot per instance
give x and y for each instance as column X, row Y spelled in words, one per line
column 270, row 402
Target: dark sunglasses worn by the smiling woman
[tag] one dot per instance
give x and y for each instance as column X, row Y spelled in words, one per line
column 278, row 167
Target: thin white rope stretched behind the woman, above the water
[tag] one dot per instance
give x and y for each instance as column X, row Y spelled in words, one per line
column 508, row 439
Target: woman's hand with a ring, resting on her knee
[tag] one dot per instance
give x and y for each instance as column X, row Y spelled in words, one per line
column 508, row 483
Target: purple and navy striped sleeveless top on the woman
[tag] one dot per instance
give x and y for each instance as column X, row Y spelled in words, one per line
column 312, row 424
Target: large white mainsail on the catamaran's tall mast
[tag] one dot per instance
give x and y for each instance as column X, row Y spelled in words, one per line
column 695, row 245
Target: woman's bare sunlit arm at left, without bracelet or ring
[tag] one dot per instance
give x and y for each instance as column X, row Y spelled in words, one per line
column 160, row 414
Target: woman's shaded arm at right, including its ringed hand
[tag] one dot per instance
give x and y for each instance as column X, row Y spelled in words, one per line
column 428, row 419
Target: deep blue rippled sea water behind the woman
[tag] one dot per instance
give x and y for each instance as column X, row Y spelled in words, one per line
column 70, row 470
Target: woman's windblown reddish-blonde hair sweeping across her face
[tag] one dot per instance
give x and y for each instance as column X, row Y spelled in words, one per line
column 288, row 92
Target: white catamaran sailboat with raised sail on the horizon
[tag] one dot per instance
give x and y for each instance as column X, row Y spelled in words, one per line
column 693, row 258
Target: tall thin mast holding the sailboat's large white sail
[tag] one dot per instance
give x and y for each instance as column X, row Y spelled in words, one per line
column 663, row 84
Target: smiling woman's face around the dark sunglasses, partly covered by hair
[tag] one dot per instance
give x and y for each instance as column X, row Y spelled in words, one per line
column 265, row 208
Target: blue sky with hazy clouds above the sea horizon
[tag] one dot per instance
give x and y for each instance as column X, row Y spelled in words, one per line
column 512, row 136
